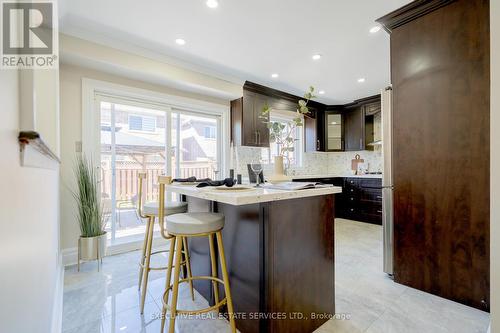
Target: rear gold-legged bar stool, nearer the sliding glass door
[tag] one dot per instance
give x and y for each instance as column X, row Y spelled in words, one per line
column 149, row 211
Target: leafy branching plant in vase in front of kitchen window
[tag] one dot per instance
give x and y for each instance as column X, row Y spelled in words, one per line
column 282, row 133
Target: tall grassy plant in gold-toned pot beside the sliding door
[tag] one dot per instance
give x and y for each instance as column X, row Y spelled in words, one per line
column 92, row 242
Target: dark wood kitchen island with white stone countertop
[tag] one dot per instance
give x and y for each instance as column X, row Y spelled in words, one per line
column 280, row 253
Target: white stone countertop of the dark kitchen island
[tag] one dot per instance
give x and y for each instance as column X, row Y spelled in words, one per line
column 248, row 196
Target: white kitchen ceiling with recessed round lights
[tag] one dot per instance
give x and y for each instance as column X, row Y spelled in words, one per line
column 249, row 40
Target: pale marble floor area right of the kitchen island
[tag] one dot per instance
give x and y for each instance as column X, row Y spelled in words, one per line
column 376, row 304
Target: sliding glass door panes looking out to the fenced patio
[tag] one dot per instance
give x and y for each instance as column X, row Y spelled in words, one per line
column 139, row 137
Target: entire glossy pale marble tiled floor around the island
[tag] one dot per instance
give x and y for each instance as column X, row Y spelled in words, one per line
column 366, row 299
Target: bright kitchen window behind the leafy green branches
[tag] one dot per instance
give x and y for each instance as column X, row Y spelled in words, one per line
column 295, row 157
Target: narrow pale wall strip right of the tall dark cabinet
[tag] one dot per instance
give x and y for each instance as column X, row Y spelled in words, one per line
column 495, row 166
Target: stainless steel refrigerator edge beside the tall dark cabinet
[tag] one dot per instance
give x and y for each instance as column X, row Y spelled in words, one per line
column 387, row 184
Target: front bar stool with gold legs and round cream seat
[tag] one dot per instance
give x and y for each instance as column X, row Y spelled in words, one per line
column 180, row 227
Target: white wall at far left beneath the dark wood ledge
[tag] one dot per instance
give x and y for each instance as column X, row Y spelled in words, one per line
column 29, row 256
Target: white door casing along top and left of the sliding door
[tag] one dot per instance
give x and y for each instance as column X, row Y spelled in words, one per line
column 71, row 132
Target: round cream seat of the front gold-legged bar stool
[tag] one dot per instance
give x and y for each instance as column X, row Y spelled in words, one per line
column 194, row 223
